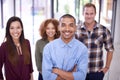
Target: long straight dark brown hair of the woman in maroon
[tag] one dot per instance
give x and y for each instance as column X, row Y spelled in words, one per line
column 13, row 56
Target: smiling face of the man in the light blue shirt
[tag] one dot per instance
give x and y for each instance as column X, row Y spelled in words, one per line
column 67, row 29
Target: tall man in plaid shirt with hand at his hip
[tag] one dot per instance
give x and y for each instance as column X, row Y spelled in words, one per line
column 94, row 36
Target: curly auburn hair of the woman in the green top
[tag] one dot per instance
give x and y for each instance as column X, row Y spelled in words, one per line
column 43, row 26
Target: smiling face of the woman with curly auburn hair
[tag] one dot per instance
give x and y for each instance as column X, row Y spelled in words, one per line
column 50, row 30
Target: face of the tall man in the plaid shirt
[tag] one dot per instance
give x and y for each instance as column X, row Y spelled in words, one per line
column 89, row 14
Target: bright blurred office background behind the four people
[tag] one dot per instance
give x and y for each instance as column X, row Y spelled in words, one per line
column 33, row 12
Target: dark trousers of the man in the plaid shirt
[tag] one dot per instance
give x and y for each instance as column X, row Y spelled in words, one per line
column 95, row 76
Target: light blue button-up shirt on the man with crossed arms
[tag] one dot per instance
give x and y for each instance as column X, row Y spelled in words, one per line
column 65, row 56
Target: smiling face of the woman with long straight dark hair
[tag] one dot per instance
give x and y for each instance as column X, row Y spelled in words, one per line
column 15, row 30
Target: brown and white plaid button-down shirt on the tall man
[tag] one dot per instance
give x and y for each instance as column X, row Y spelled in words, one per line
column 94, row 41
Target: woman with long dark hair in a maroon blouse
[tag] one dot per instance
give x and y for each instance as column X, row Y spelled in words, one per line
column 15, row 52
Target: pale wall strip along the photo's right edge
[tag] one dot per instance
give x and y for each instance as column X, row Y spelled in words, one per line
column 114, row 72
